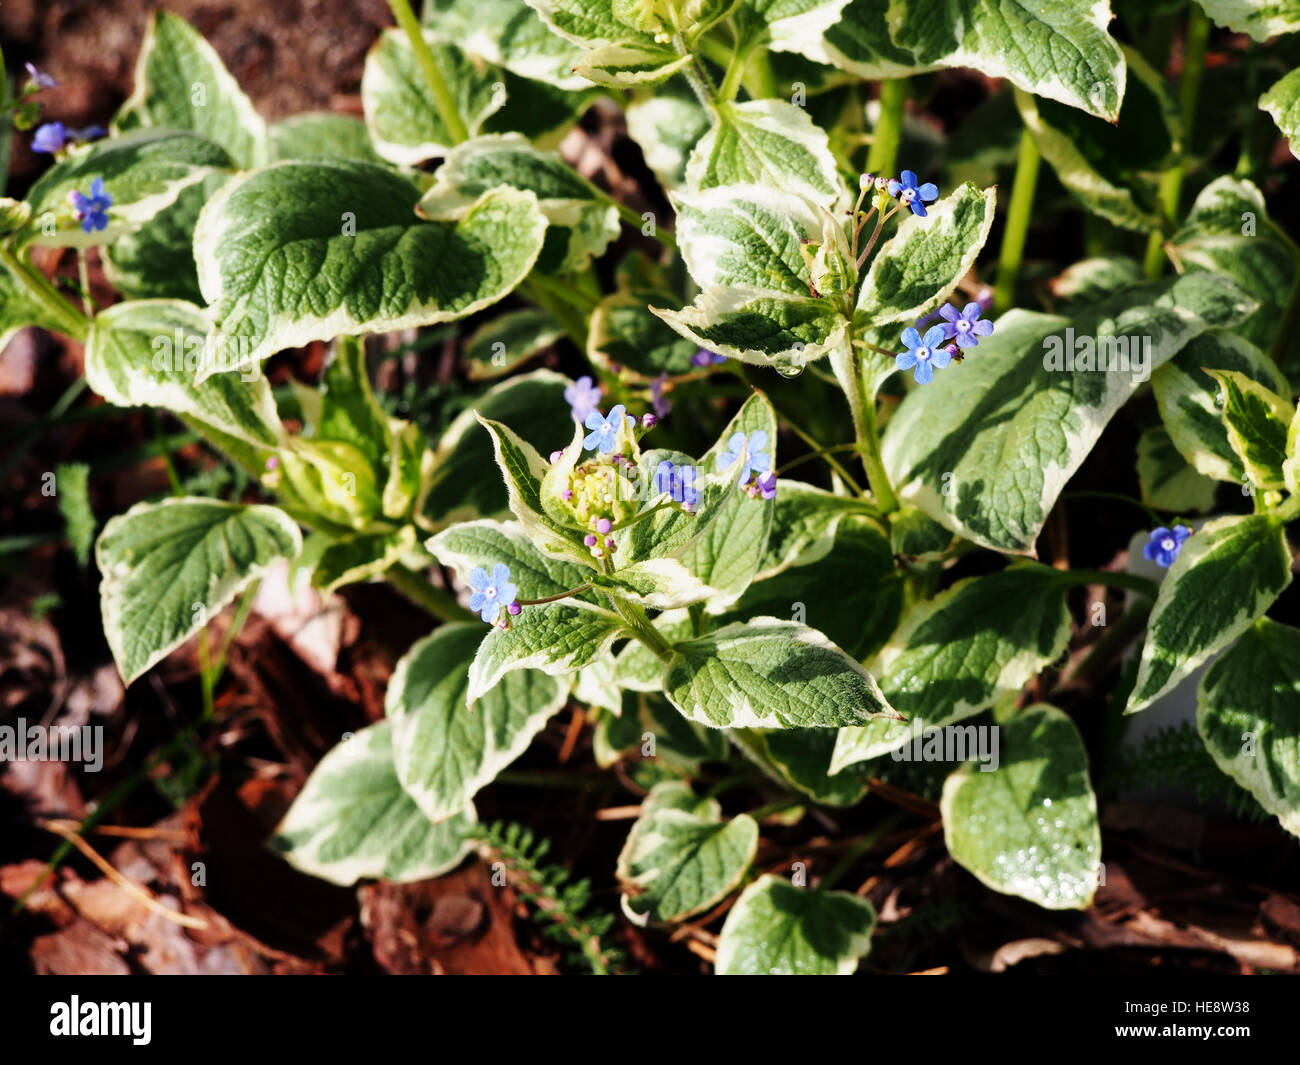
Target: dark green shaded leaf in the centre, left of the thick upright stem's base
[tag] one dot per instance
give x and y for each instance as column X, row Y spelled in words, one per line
column 853, row 594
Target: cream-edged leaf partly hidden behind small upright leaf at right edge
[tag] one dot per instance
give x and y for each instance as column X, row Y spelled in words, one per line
column 1189, row 400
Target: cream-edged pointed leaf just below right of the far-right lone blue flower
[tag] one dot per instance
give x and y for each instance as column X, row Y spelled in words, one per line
column 1225, row 578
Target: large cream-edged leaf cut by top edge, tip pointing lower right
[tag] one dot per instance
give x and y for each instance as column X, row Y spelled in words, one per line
column 1055, row 49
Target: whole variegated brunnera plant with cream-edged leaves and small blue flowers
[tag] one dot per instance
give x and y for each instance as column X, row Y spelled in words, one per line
column 669, row 577
